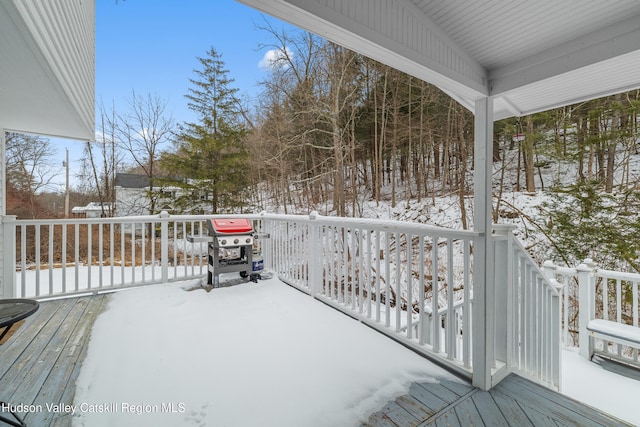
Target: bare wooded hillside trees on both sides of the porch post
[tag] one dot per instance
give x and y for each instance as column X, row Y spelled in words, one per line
column 334, row 126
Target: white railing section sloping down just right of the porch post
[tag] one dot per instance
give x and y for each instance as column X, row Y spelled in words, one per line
column 528, row 336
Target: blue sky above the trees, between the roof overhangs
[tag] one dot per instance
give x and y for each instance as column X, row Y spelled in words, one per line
column 152, row 46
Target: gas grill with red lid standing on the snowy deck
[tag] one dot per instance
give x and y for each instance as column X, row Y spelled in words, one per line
column 231, row 249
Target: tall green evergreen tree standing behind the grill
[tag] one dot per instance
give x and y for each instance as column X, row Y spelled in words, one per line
column 211, row 161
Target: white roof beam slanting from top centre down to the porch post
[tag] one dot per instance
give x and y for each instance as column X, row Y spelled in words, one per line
column 440, row 61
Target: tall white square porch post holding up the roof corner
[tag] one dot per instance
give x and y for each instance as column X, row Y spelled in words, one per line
column 484, row 313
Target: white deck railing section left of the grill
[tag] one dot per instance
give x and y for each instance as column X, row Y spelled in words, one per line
column 74, row 256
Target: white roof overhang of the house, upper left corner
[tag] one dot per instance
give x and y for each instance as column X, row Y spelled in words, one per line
column 47, row 67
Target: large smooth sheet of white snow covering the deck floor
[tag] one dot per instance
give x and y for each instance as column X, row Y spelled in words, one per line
column 252, row 354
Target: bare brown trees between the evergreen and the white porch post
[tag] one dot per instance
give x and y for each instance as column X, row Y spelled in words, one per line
column 337, row 127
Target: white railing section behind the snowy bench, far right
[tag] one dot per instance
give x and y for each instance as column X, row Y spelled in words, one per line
column 595, row 293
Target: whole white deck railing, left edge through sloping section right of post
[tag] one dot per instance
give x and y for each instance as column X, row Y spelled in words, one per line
column 410, row 281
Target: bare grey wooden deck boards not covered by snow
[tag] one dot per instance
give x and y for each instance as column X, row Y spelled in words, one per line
column 39, row 364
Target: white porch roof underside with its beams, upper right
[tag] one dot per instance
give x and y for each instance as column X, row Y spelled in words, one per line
column 529, row 55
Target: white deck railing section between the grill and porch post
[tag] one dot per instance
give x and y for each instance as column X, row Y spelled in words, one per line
column 390, row 275
